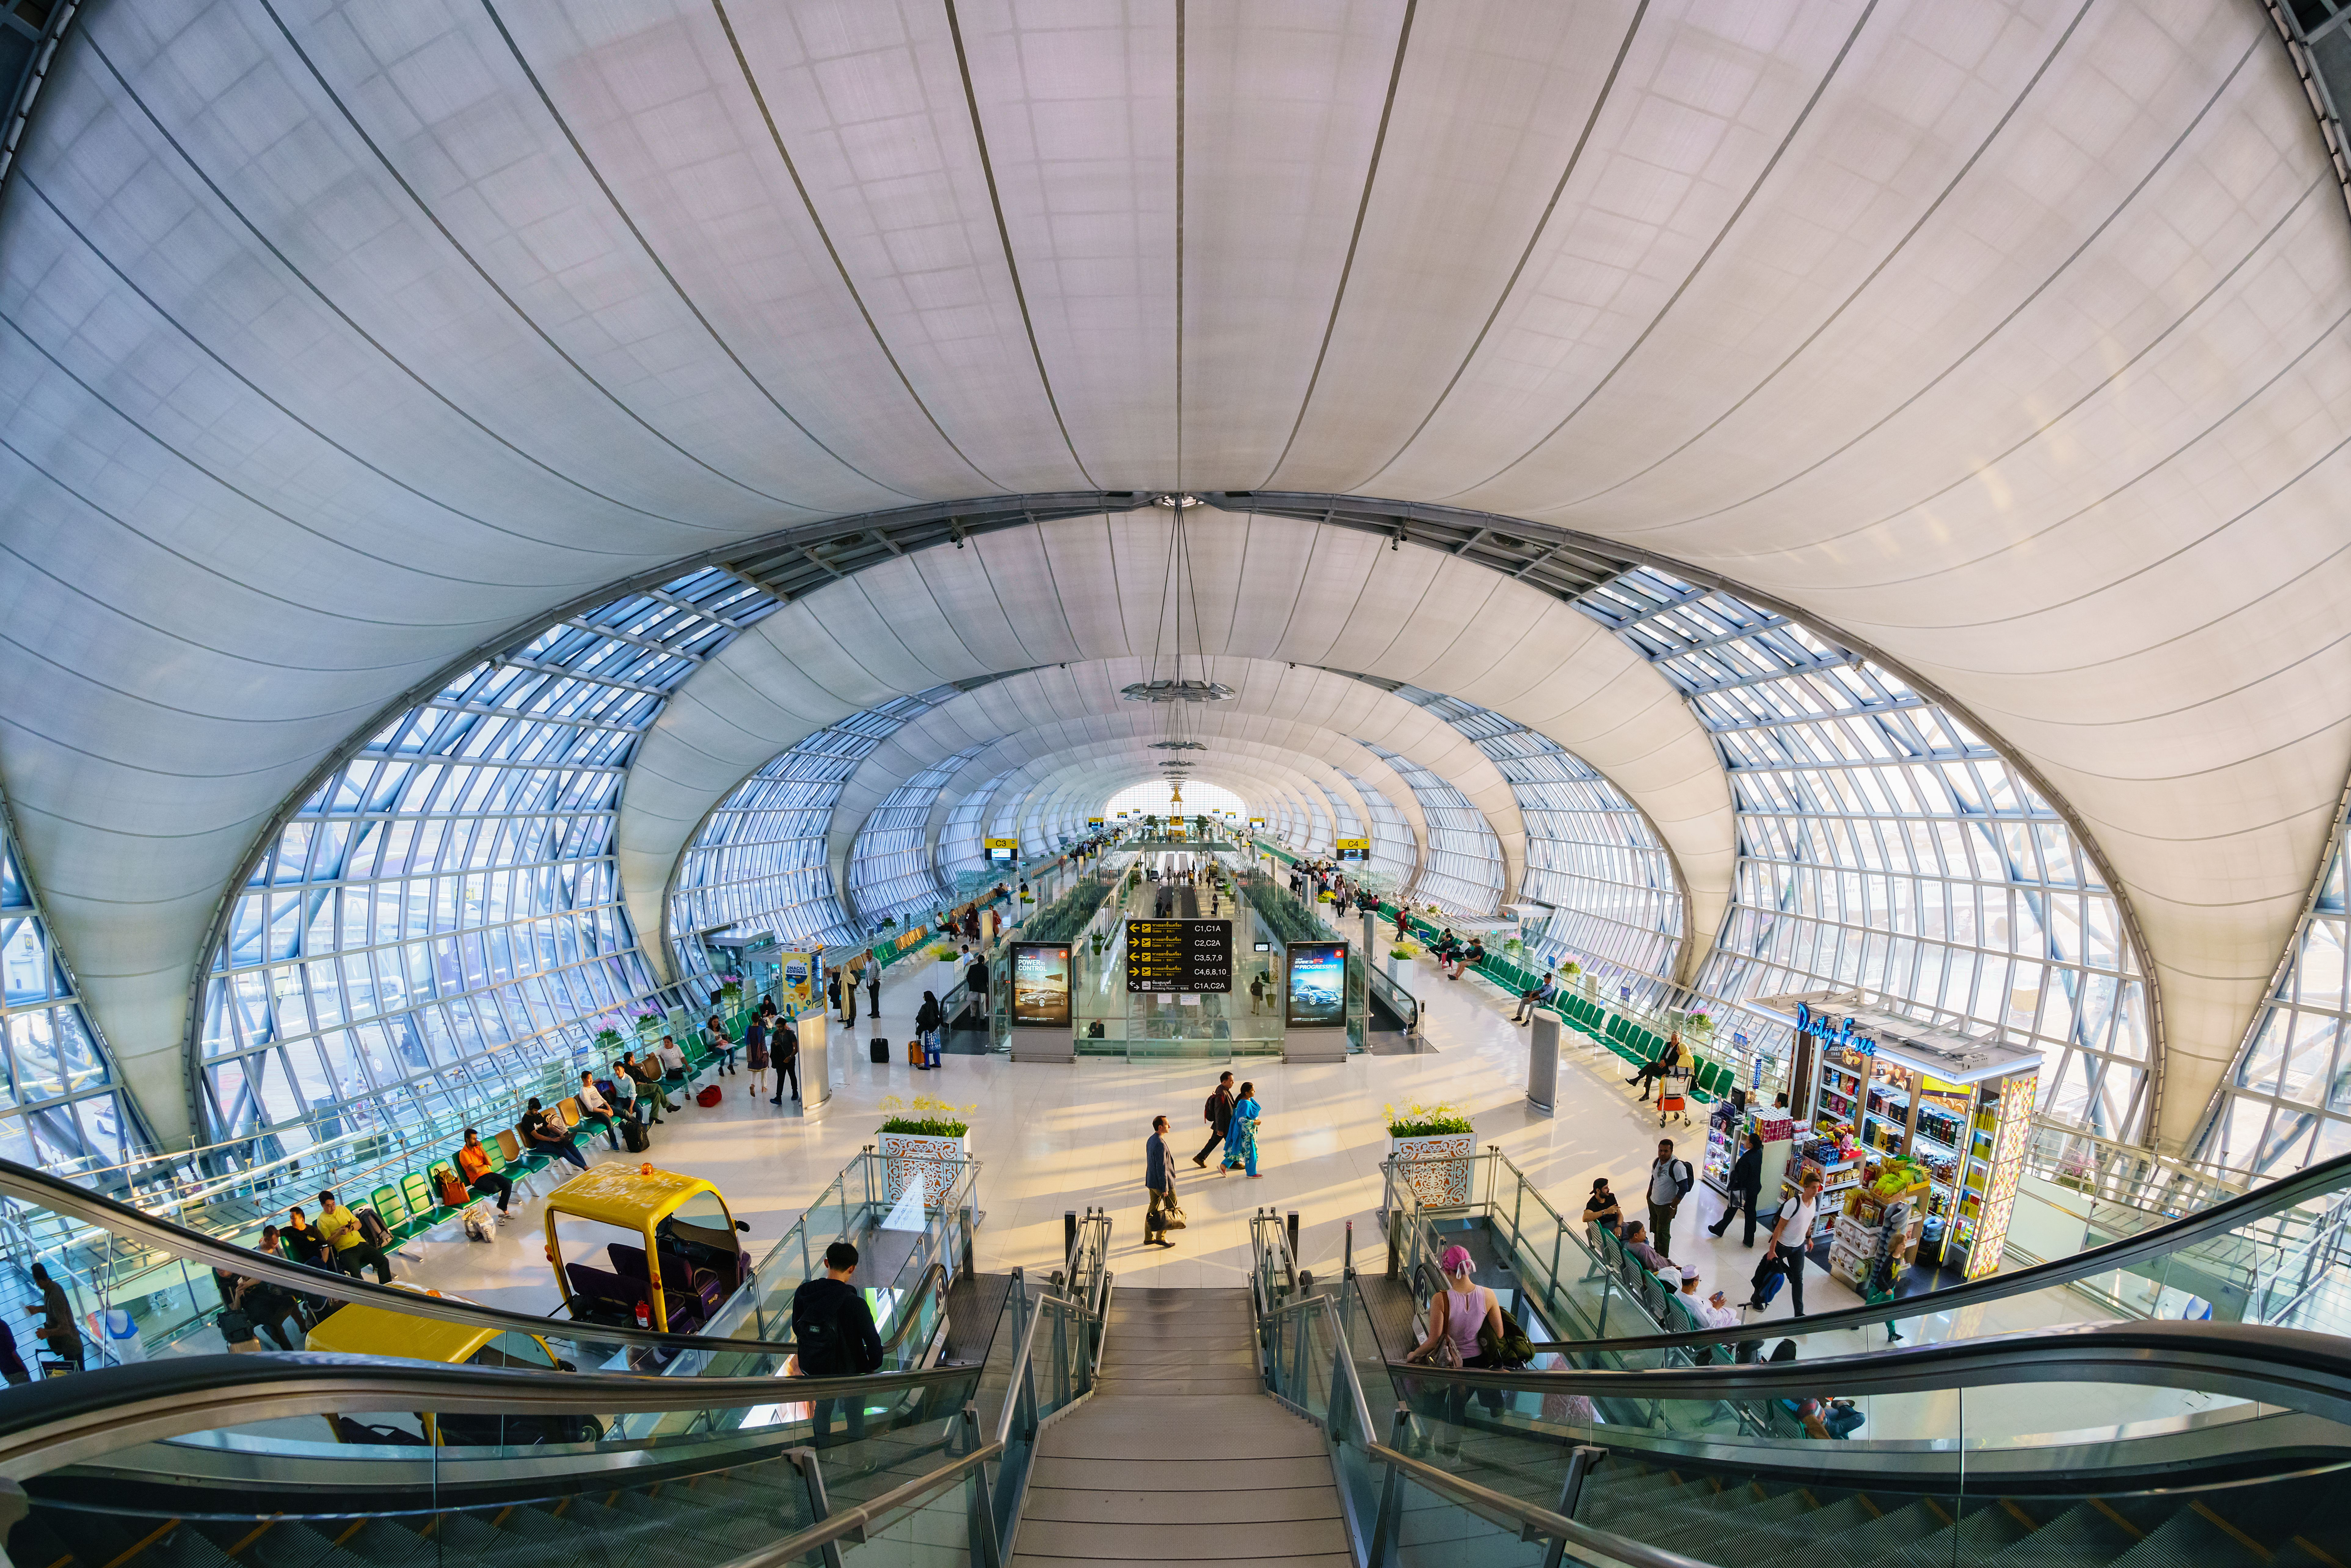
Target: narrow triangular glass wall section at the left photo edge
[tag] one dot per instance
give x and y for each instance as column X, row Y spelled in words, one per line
column 60, row 1108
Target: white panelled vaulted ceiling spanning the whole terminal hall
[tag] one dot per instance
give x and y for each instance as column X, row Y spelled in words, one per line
column 340, row 342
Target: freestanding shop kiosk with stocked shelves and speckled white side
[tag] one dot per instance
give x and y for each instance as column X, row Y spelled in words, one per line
column 1957, row 1104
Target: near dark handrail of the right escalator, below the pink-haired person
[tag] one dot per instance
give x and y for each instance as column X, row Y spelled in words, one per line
column 2289, row 1367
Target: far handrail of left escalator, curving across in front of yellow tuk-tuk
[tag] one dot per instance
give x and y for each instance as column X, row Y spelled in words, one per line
column 192, row 1245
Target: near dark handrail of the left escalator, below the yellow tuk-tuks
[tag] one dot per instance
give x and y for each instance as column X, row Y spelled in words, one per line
column 65, row 1421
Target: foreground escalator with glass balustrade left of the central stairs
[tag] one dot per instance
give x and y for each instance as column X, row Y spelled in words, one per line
column 316, row 1461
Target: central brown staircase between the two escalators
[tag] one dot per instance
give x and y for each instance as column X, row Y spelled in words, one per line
column 1181, row 1456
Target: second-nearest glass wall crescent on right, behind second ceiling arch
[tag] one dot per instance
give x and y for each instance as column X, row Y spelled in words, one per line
column 1590, row 855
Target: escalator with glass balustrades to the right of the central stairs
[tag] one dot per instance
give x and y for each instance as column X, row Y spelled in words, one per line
column 2082, row 1440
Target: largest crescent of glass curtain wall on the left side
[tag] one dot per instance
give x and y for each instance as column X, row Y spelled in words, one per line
column 443, row 916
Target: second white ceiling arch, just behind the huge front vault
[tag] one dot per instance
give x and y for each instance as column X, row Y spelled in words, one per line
column 1275, row 591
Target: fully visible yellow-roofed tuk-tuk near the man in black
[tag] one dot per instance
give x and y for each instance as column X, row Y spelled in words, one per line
column 643, row 1247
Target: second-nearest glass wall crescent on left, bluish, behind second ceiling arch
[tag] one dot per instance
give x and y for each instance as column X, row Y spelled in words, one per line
column 761, row 862
